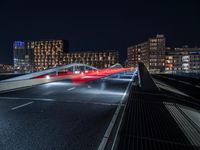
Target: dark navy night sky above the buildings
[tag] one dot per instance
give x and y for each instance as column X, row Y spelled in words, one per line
column 98, row 24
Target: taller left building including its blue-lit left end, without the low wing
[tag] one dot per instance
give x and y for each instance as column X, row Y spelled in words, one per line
column 31, row 56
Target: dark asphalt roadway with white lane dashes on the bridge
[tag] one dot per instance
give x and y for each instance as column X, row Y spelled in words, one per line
column 58, row 115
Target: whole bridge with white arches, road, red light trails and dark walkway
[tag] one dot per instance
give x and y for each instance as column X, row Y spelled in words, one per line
column 78, row 106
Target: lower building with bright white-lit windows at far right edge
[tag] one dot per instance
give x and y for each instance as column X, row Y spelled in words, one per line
column 183, row 59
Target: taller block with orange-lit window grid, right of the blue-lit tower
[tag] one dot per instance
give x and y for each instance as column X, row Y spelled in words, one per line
column 48, row 54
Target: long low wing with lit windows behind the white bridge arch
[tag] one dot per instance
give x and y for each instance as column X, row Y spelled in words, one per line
column 101, row 59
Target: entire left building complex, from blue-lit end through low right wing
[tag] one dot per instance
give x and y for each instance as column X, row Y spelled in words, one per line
column 30, row 56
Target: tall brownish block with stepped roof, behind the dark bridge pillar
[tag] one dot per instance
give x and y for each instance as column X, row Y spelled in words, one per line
column 151, row 53
